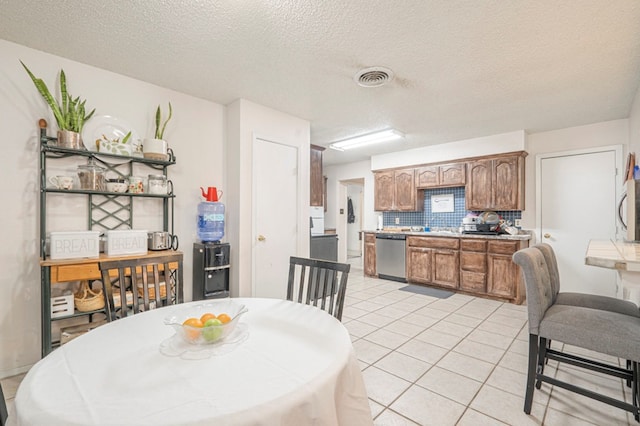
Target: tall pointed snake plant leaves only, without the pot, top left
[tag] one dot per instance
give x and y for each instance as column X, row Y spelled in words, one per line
column 71, row 114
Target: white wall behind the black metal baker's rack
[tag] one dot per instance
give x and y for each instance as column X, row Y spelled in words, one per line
column 196, row 134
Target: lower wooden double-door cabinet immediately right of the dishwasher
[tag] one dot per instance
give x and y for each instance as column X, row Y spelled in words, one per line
column 433, row 260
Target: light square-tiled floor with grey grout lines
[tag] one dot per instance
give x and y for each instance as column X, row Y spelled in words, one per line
column 455, row 361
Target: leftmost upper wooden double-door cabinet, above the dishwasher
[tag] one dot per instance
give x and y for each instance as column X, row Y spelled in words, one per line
column 395, row 190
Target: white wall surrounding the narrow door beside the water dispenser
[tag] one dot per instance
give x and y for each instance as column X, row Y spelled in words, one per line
column 246, row 120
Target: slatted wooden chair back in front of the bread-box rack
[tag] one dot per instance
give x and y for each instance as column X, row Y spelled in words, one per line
column 157, row 281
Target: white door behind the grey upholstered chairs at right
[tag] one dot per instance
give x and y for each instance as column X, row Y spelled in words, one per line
column 577, row 203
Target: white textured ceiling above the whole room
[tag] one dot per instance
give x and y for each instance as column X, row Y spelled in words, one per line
column 463, row 69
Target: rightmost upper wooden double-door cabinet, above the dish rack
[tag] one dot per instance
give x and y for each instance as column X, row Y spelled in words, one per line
column 496, row 183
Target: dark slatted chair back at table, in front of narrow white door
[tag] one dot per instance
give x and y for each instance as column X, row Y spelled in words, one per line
column 319, row 281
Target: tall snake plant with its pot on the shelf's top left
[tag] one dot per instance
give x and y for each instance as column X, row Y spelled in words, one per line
column 70, row 114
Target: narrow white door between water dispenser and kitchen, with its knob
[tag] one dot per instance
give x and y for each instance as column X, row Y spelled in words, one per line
column 275, row 192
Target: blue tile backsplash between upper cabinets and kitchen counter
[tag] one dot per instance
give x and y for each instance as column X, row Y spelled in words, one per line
column 440, row 220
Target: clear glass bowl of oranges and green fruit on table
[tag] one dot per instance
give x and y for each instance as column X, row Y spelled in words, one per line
column 206, row 323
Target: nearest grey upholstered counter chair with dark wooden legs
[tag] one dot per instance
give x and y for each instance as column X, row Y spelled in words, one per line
column 611, row 333
